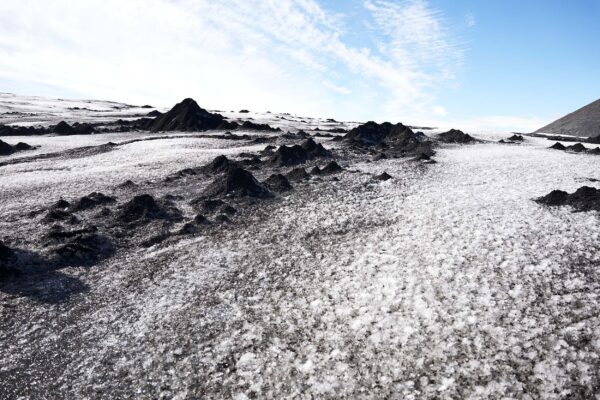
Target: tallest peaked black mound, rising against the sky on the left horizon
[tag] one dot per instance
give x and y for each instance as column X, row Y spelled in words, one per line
column 188, row 116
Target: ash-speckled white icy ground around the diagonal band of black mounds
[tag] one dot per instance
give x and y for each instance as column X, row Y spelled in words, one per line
column 446, row 281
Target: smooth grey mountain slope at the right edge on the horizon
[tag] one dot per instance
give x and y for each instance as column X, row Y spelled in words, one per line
column 584, row 122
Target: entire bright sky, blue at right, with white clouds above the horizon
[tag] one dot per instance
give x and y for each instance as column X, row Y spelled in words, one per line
column 470, row 64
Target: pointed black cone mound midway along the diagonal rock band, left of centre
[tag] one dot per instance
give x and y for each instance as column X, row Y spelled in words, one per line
column 237, row 182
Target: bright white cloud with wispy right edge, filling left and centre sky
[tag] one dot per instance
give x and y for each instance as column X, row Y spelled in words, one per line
column 281, row 55
